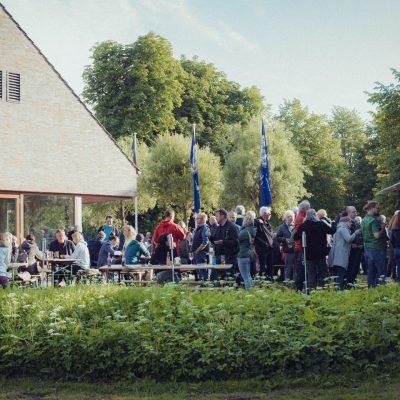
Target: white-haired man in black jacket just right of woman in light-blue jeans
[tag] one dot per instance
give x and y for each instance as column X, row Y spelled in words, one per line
column 264, row 242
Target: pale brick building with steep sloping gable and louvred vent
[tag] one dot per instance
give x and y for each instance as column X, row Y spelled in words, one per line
column 54, row 154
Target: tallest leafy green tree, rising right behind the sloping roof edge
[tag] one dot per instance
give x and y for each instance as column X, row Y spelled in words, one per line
column 134, row 88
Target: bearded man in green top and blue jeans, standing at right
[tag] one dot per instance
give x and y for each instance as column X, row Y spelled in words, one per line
column 374, row 236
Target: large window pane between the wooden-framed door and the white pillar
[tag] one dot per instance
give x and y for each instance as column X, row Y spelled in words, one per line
column 43, row 215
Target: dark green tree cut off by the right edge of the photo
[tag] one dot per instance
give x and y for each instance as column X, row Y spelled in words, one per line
column 387, row 124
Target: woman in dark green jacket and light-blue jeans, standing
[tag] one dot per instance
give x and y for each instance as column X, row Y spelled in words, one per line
column 246, row 239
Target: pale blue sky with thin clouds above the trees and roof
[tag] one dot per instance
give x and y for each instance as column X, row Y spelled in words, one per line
column 324, row 52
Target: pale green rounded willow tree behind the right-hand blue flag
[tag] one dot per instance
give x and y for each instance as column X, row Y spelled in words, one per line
column 242, row 169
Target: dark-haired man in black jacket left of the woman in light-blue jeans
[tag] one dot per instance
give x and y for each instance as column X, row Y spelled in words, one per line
column 226, row 242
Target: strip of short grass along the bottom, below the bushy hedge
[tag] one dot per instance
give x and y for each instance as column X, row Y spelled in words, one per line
column 312, row 387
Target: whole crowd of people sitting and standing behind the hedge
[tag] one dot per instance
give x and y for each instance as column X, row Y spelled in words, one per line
column 306, row 250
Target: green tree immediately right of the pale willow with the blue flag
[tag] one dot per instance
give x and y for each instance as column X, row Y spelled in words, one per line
column 321, row 153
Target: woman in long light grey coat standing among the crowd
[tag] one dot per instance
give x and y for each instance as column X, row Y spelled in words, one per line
column 341, row 249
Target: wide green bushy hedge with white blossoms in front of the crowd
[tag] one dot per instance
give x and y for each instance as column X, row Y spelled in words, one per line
column 108, row 332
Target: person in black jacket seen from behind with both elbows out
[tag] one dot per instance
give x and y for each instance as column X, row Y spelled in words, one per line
column 316, row 242
